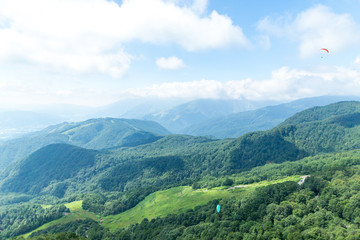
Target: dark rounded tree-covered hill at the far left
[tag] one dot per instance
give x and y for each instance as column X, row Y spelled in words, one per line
column 55, row 162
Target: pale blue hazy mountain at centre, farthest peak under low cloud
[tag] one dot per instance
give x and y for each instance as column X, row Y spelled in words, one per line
column 178, row 118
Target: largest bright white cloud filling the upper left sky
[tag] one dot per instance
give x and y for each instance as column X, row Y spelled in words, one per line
column 89, row 35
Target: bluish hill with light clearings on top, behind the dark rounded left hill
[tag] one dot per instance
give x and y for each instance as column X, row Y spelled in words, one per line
column 93, row 134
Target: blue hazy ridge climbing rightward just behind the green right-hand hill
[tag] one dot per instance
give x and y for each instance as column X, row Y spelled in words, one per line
column 235, row 125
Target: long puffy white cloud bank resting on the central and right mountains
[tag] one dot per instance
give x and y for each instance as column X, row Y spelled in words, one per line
column 285, row 84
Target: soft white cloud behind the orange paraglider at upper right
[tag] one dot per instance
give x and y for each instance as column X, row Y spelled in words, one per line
column 315, row 28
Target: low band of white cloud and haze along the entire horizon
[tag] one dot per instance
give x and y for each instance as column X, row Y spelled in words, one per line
column 284, row 84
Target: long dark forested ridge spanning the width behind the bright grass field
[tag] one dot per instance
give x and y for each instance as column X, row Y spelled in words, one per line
column 176, row 159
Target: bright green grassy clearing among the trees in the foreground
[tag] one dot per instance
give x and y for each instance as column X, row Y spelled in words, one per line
column 159, row 204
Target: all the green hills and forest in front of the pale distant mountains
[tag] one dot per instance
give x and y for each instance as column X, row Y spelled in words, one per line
column 103, row 187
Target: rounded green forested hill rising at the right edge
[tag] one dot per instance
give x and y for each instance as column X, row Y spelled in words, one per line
column 331, row 128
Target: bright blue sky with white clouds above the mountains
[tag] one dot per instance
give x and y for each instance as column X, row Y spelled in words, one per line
column 95, row 52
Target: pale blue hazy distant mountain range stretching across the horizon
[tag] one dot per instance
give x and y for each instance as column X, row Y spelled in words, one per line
column 204, row 117
